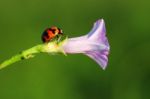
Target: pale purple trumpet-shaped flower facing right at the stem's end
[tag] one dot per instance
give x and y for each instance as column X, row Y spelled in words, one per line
column 94, row 44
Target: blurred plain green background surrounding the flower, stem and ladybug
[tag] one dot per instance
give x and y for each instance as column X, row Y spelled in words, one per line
column 76, row 76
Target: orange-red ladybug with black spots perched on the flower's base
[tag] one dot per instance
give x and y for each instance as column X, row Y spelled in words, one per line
column 51, row 33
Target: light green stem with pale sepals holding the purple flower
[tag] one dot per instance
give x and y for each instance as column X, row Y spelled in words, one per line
column 51, row 47
